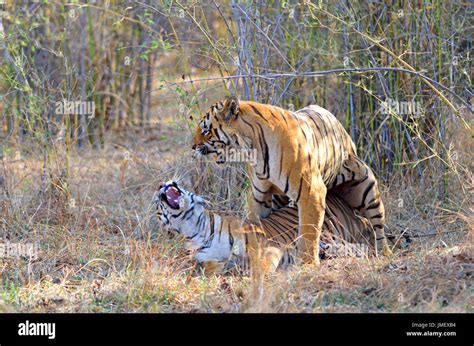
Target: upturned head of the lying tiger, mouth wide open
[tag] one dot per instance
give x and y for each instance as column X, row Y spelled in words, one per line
column 177, row 207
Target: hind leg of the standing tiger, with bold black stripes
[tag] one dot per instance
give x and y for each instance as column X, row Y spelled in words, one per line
column 357, row 185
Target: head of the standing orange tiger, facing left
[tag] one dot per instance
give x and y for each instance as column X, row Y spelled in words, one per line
column 214, row 133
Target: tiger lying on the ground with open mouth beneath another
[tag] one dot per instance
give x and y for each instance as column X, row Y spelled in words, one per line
column 221, row 242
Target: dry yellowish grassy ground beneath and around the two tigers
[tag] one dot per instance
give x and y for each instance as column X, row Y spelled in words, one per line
column 103, row 251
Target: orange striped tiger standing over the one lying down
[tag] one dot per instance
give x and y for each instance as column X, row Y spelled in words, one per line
column 299, row 154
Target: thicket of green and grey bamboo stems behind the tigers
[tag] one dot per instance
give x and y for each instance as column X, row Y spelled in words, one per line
column 123, row 58
